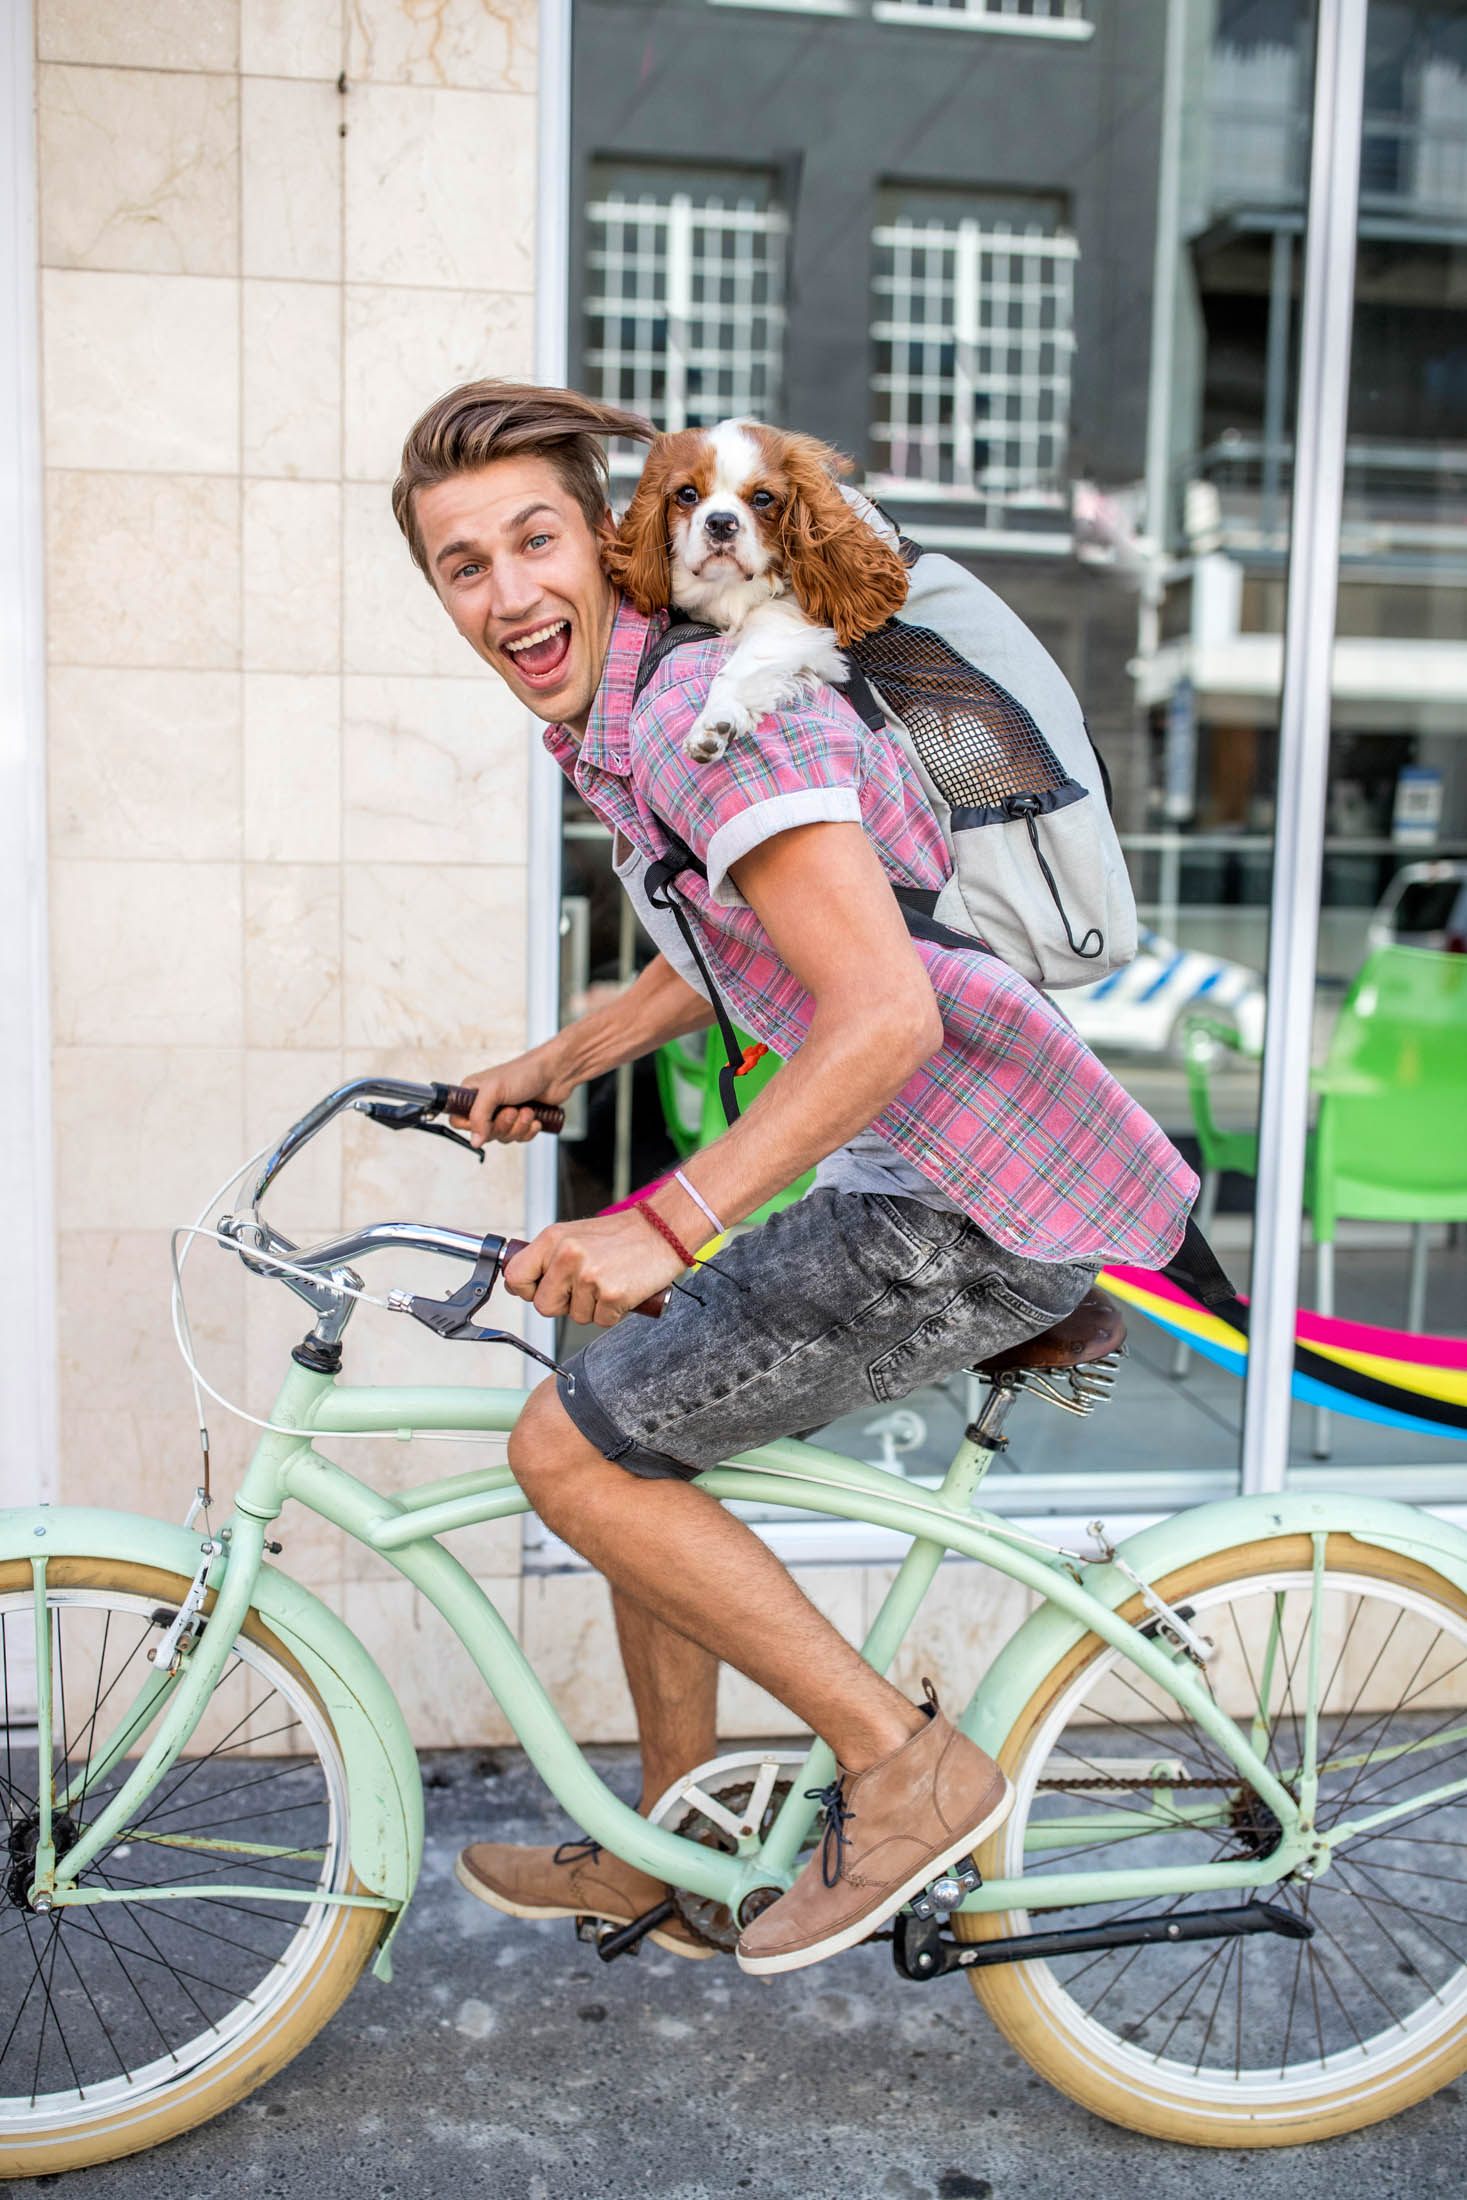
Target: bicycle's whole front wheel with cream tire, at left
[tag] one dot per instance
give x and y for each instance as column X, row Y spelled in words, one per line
column 131, row 2021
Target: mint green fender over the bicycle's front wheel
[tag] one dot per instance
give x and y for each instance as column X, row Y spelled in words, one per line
column 382, row 1768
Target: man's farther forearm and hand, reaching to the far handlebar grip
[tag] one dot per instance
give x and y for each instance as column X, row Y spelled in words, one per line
column 657, row 1009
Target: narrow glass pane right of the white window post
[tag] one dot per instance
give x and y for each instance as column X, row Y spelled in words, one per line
column 1387, row 1242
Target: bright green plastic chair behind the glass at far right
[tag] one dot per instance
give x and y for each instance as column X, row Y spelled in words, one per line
column 1391, row 1136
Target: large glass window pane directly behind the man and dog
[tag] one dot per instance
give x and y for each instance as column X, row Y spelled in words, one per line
column 1068, row 362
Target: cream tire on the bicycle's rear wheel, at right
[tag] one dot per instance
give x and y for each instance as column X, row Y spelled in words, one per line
column 1011, row 1992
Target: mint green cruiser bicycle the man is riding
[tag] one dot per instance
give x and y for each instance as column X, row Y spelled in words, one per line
column 1228, row 1906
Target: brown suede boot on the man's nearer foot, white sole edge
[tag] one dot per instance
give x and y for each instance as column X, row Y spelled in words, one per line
column 887, row 1834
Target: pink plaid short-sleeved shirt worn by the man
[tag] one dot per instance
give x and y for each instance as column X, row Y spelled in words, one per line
column 1015, row 1119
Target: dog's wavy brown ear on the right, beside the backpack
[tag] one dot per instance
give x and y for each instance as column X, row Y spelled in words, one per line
column 841, row 571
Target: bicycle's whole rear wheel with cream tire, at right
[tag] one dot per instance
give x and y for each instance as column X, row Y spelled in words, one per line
column 1253, row 2043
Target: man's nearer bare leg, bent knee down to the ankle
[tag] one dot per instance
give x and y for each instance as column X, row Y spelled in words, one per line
column 707, row 1576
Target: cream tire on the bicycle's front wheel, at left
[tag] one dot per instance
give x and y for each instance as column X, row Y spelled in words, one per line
column 322, row 1988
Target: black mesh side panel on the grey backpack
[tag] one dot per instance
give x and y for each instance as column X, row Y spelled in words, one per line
column 978, row 745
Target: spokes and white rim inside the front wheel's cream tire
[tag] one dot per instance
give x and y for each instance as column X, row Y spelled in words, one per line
column 129, row 1996
